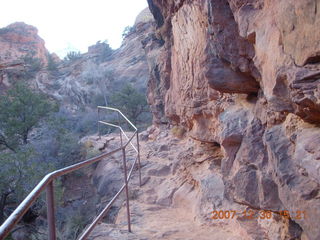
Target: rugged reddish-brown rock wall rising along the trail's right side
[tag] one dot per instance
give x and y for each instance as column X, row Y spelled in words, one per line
column 244, row 75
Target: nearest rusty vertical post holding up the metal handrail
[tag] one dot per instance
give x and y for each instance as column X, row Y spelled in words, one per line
column 50, row 212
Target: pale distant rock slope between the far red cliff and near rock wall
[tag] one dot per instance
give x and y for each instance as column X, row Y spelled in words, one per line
column 89, row 76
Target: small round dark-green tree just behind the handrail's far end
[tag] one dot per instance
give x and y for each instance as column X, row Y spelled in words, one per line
column 130, row 102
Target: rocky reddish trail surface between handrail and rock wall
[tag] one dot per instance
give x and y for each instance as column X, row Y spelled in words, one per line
column 170, row 203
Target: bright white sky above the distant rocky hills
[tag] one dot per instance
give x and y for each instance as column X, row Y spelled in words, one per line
column 73, row 25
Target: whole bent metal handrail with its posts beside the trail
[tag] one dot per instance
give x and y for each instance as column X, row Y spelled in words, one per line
column 47, row 183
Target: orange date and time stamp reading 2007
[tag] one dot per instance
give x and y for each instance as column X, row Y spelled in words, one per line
column 257, row 214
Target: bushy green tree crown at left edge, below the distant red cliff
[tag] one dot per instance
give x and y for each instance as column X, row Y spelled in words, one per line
column 21, row 109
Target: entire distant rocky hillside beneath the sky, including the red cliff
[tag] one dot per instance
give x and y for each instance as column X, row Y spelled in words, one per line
column 83, row 81
